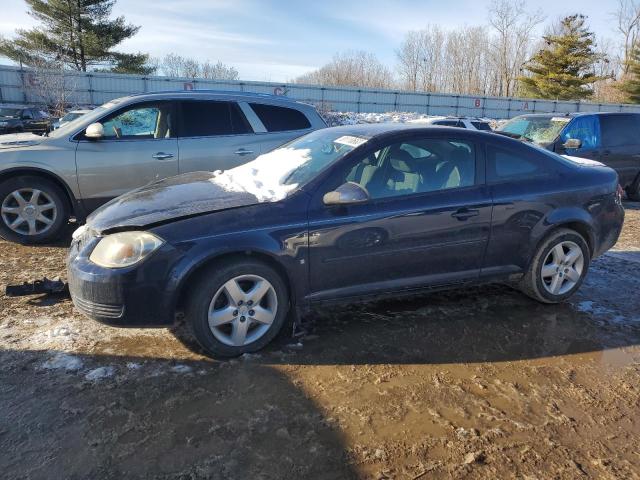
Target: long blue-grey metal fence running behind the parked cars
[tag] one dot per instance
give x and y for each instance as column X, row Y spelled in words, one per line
column 20, row 85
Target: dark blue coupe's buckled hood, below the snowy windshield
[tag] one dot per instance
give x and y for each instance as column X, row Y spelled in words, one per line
column 182, row 196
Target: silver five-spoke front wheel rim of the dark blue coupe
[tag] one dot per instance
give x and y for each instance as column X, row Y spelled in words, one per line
column 242, row 310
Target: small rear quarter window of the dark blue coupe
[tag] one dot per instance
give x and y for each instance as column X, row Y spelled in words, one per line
column 506, row 164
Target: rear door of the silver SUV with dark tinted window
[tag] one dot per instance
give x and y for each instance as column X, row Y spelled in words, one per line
column 214, row 135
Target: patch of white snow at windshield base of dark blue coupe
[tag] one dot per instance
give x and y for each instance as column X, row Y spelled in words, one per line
column 264, row 177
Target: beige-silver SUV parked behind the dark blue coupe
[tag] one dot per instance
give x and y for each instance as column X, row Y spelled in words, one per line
column 132, row 141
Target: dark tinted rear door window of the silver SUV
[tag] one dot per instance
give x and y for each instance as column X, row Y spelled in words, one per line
column 211, row 118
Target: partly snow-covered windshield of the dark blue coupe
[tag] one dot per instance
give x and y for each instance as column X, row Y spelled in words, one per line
column 272, row 176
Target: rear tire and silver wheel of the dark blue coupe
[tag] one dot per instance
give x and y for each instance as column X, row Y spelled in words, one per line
column 559, row 286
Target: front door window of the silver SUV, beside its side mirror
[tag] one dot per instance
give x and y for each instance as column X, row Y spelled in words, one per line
column 142, row 121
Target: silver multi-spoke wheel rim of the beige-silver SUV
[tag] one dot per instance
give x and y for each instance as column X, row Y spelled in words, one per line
column 28, row 211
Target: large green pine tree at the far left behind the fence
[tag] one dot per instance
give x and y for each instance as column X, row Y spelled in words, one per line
column 75, row 34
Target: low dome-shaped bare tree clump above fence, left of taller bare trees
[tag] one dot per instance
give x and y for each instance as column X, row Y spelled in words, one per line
column 352, row 68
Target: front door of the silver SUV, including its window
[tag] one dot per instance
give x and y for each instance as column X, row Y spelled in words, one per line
column 139, row 146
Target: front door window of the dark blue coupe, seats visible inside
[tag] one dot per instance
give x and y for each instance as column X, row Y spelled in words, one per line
column 416, row 166
